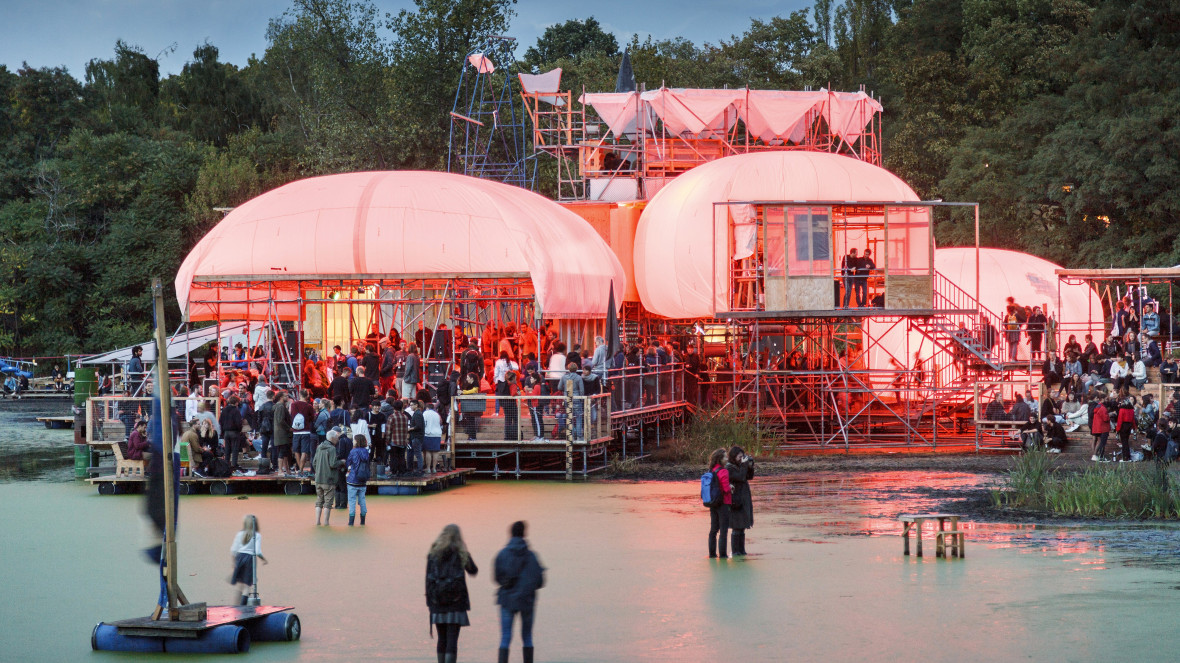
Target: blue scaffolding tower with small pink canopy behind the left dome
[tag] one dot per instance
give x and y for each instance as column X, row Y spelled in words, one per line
column 488, row 132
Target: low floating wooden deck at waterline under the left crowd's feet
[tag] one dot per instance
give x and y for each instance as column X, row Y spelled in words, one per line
column 110, row 484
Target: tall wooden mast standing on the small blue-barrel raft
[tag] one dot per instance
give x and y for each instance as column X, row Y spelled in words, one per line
column 175, row 598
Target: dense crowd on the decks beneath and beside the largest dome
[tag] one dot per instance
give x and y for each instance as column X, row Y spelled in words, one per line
column 401, row 402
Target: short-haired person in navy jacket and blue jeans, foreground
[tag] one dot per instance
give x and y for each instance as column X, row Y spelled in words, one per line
column 520, row 575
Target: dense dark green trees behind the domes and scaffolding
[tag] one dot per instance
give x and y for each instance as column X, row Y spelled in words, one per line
column 1059, row 116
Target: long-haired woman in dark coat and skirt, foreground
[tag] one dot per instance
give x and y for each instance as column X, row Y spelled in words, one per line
column 447, row 590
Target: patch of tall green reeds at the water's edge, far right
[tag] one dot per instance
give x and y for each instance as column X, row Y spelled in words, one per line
column 1102, row 491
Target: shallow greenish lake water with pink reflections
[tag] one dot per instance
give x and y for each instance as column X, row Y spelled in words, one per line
column 628, row 574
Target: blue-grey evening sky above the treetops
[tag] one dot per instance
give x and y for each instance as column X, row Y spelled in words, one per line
column 73, row 32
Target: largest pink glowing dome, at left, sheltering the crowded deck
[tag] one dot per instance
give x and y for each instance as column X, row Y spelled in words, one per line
column 388, row 225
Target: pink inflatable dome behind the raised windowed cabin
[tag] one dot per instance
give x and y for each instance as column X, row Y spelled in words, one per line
column 679, row 254
